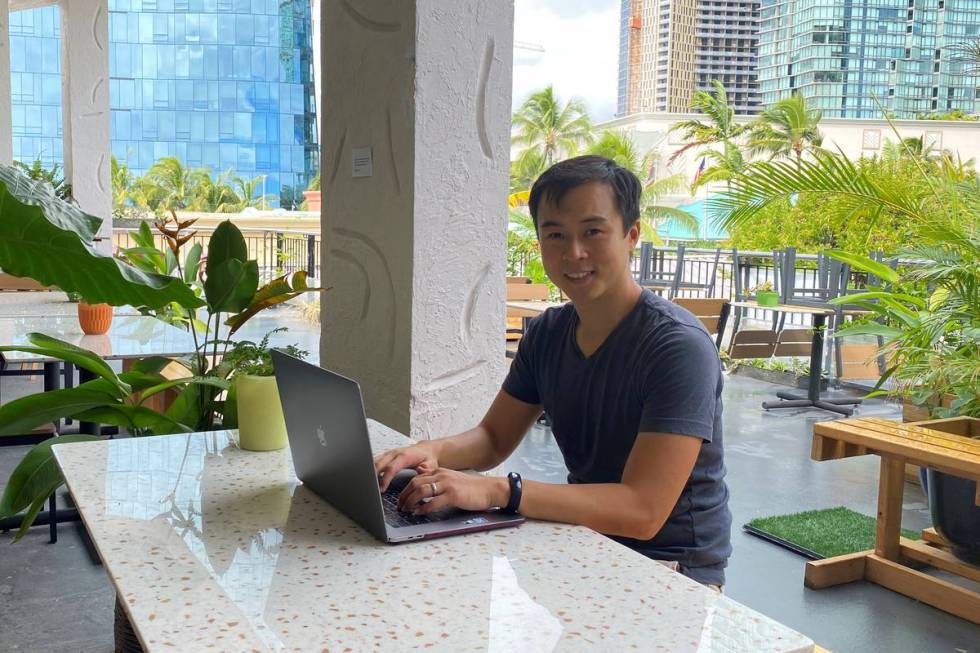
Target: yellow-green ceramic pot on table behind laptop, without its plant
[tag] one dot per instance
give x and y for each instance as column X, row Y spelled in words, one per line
column 261, row 426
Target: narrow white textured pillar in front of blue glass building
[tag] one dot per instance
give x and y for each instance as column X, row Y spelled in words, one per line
column 85, row 106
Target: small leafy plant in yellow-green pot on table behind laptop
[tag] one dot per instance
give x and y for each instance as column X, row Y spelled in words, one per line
column 261, row 425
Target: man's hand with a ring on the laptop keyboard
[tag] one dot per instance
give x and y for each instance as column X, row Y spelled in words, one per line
column 446, row 488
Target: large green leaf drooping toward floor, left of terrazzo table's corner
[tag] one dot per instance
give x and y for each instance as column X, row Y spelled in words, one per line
column 33, row 481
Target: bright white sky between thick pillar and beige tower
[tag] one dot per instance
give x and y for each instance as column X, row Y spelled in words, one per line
column 581, row 51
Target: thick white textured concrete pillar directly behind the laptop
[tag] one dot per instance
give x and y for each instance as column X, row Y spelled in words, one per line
column 415, row 236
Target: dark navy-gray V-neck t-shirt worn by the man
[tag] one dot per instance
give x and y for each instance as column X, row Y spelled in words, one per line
column 657, row 371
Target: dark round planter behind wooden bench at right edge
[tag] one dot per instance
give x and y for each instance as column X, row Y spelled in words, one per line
column 955, row 514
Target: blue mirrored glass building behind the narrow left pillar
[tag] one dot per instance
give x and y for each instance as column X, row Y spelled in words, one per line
column 222, row 84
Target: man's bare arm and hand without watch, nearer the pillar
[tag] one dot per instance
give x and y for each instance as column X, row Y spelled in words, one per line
column 482, row 447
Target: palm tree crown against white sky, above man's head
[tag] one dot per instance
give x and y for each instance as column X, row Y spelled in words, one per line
column 555, row 129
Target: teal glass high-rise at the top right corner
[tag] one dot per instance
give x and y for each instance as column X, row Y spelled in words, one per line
column 839, row 54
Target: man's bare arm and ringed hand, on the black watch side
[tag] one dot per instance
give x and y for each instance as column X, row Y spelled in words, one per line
column 654, row 477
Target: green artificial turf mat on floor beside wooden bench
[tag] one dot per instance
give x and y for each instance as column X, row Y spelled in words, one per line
column 820, row 534
